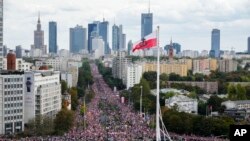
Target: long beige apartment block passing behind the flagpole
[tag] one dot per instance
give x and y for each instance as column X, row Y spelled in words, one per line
column 177, row 68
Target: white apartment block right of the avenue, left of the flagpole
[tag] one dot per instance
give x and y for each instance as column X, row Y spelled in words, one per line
column 133, row 75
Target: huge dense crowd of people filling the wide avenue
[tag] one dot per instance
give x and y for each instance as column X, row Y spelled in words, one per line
column 107, row 118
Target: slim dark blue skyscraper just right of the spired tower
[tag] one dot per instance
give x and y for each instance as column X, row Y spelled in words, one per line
column 52, row 37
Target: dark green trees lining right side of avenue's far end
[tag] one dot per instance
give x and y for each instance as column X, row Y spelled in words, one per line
column 109, row 79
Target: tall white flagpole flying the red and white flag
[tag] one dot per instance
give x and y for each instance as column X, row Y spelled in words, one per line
column 158, row 134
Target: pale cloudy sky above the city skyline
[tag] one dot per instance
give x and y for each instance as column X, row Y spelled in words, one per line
column 188, row 22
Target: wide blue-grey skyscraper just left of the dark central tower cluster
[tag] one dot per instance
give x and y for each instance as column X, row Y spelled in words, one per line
column 78, row 39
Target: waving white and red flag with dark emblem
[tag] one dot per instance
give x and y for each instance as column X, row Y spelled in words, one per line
column 147, row 42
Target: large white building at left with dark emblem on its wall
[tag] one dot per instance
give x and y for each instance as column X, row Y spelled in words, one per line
column 42, row 94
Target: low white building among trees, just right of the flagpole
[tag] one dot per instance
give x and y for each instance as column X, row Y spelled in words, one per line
column 183, row 103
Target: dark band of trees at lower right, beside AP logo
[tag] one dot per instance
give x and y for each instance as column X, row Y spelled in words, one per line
column 184, row 123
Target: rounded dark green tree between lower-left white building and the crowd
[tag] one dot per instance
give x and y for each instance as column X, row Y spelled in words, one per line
column 64, row 121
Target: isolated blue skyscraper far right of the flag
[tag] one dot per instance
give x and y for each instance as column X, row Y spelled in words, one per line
column 215, row 43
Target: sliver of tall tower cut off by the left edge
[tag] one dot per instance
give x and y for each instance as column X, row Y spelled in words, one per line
column 1, row 34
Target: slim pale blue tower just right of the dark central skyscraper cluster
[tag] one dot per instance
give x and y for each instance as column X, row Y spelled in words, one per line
column 115, row 38
